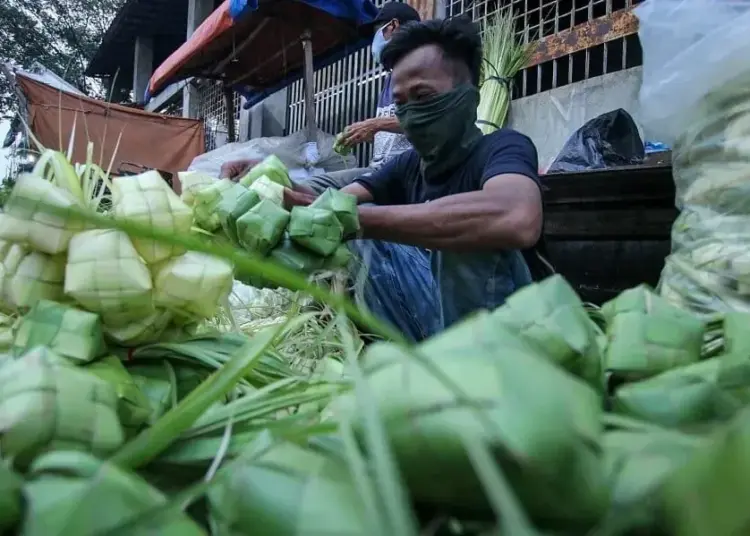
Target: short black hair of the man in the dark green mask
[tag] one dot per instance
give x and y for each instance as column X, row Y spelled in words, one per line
column 458, row 38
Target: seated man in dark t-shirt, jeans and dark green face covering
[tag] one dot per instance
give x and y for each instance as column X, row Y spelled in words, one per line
column 474, row 201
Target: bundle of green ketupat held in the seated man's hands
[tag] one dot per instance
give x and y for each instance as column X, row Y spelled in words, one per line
column 250, row 215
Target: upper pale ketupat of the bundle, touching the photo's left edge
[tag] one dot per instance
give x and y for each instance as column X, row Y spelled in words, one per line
column 27, row 219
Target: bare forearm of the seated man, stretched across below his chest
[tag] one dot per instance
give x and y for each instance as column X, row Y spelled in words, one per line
column 462, row 222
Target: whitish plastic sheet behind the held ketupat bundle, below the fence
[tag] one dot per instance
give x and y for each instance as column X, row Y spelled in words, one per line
column 300, row 156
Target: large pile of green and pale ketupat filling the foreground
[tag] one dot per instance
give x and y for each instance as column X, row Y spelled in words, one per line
column 540, row 417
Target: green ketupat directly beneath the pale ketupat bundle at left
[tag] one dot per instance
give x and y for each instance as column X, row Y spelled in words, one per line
column 71, row 333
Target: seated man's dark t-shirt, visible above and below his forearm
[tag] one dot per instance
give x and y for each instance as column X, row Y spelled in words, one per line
column 467, row 281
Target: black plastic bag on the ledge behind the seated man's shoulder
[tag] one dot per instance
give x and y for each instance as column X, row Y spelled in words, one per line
column 608, row 140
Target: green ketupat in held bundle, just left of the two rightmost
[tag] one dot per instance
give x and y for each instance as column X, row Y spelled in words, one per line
column 261, row 228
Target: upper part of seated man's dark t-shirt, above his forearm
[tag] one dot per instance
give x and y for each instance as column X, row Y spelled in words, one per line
column 400, row 182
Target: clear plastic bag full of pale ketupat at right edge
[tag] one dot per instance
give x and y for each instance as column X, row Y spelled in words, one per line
column 696, row 97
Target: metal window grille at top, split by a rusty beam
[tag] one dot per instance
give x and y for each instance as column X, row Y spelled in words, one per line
column 537, row 19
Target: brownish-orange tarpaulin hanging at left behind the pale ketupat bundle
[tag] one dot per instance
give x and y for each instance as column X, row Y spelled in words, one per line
column 155, row 141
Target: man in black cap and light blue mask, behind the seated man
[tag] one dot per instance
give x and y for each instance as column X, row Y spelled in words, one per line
column 384, row 129
